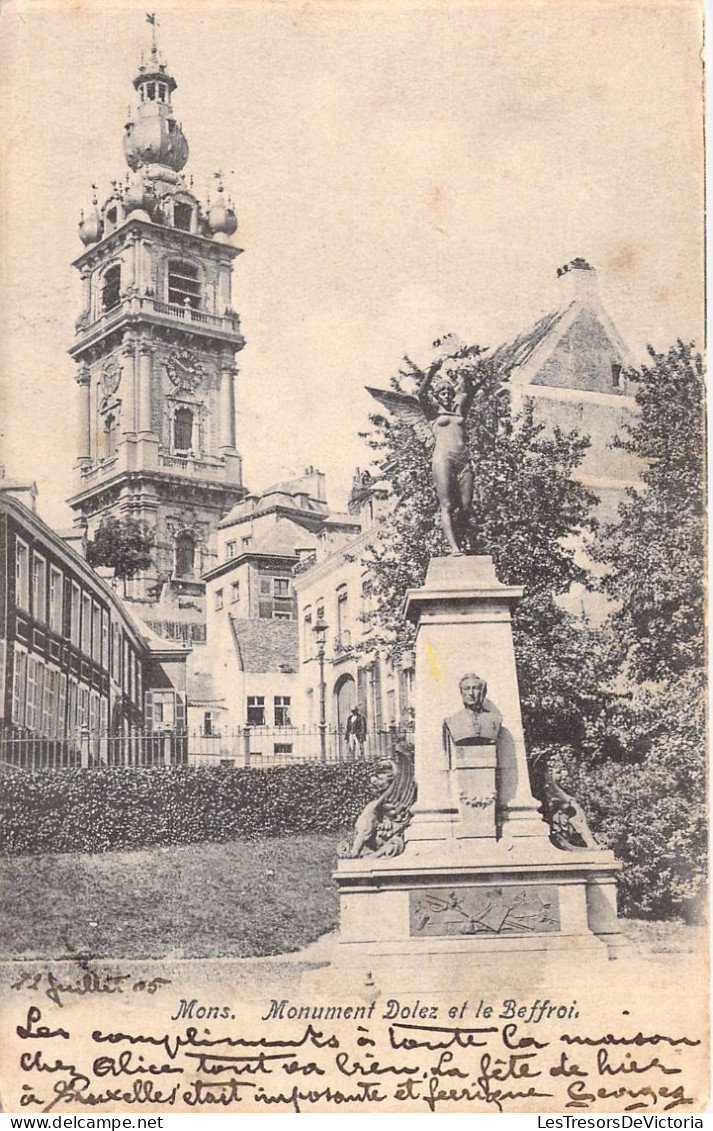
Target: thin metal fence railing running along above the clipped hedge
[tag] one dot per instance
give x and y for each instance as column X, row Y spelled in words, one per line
column 253, row 747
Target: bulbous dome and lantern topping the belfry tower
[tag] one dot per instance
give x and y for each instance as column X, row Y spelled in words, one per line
column 153, row 136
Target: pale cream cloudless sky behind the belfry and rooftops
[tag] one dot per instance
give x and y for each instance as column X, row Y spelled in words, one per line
column 401, row 171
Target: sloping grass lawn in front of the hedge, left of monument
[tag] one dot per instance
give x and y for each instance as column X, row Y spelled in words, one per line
column 238, row 900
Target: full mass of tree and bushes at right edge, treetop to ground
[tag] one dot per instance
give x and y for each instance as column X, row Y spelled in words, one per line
column 649, row 802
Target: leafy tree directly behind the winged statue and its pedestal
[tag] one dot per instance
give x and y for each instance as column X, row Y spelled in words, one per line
column 529, row 514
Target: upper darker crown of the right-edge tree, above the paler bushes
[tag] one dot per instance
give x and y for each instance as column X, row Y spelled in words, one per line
column 655, row 552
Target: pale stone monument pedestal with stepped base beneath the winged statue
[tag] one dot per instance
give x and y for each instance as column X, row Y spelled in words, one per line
column 479, row 878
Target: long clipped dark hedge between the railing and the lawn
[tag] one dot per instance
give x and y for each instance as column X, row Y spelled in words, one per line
column 108, row 808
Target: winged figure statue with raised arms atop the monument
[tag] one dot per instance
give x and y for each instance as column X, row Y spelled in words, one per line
column 437, row 415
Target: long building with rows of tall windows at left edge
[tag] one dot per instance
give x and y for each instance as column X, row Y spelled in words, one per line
column 73, row 661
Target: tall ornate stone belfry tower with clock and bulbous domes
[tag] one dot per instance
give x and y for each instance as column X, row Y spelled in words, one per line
column 156, row 349
